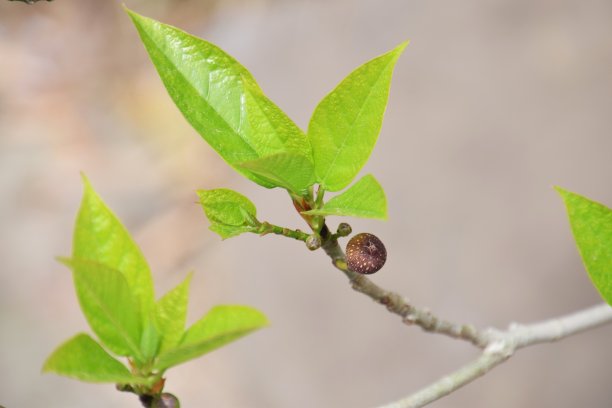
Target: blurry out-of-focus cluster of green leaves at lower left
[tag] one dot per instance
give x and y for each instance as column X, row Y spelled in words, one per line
column 115, row 291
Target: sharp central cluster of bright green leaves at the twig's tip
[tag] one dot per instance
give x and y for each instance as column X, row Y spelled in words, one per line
column 222, row 101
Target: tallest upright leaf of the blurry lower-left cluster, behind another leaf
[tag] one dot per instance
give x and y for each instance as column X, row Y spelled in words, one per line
column 99, row 236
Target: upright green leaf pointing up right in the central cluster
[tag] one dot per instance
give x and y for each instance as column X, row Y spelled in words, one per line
column 346, row 123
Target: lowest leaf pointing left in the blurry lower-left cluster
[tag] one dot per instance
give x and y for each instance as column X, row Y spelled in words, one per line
column 83, row 358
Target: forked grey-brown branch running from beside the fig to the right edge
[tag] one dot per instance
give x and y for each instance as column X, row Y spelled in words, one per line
column 498, row 346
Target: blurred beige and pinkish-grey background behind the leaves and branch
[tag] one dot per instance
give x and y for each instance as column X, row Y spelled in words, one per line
column 492, row 104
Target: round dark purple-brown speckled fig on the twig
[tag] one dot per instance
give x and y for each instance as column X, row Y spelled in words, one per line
column 365, row 253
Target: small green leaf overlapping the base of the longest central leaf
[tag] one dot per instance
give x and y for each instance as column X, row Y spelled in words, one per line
column 290, row 171
